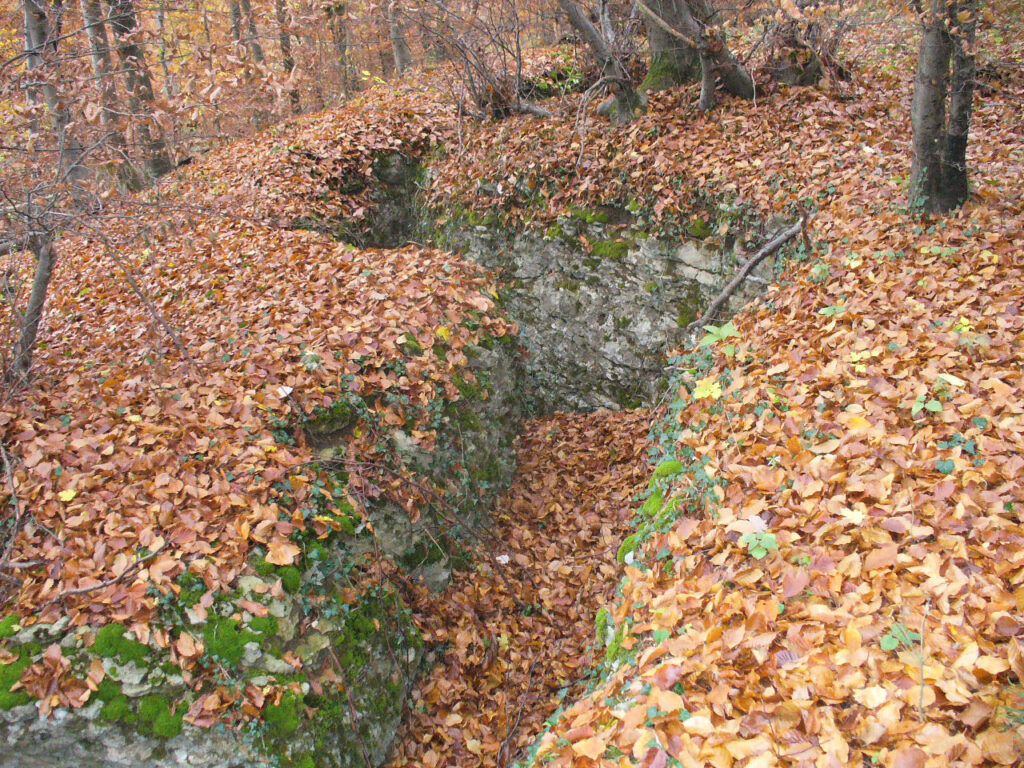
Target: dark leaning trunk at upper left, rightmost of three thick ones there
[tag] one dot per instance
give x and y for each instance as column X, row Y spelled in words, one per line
column 140, row 87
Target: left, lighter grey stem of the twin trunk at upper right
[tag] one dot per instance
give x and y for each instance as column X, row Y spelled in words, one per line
column 928, row 112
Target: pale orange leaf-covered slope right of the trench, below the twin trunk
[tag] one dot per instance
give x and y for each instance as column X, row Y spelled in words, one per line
column 880, row 618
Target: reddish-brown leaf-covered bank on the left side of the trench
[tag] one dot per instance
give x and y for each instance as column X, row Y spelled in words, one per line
column 122, row 448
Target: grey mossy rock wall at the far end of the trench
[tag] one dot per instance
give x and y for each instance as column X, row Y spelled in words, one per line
column 600, row 321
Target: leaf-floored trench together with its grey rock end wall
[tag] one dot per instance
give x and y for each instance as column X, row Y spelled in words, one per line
column 508, row 603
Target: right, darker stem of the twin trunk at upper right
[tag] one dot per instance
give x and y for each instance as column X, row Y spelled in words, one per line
column 956, row 189
